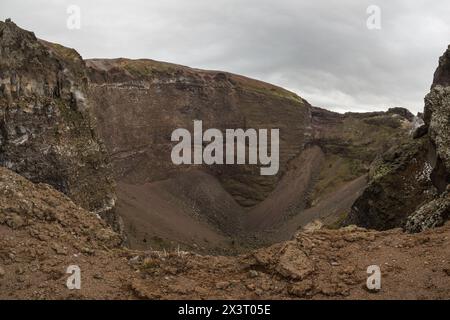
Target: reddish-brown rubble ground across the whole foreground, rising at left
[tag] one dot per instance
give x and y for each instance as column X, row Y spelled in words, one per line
column 42, row 232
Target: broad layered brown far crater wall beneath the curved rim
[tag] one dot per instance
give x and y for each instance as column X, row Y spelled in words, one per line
column 139, row 103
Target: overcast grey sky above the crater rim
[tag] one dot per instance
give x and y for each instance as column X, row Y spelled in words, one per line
column 321, row 50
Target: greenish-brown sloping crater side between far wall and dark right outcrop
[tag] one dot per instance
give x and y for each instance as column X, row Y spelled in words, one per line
column 326, row 178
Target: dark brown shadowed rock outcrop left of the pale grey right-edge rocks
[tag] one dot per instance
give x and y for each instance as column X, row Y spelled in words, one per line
column 399, row 182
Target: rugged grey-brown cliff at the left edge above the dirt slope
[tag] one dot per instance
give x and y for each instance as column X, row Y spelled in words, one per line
column 47, row 133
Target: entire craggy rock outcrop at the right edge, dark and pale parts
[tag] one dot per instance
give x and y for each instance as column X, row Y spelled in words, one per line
column 409, row 184
